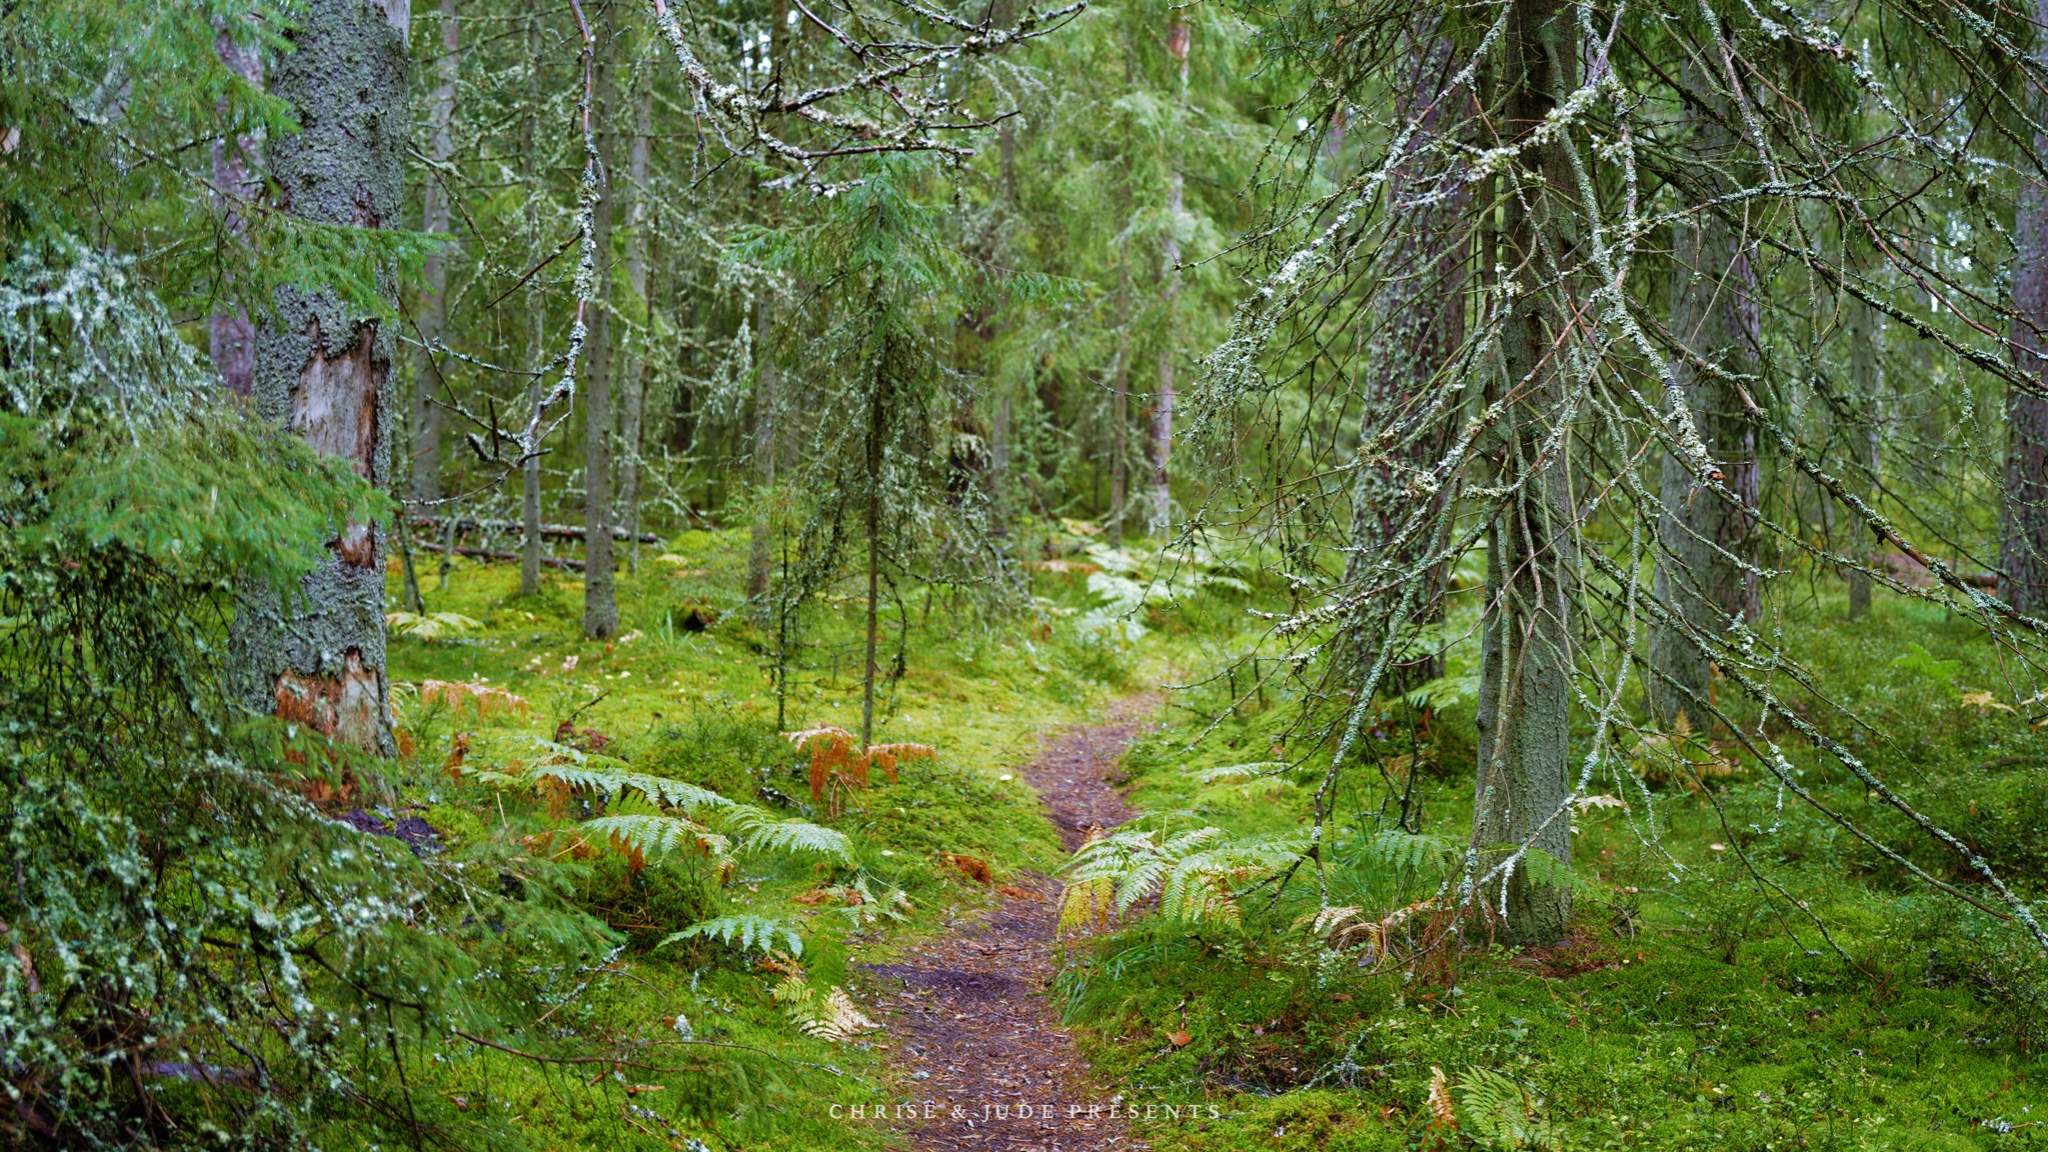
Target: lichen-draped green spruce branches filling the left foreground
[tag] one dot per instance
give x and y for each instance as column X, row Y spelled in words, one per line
column 181, row 909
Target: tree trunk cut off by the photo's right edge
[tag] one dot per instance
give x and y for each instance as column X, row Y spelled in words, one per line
column 2024, row 530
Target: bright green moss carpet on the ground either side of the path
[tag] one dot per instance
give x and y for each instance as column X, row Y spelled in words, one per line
column 1826, row 1005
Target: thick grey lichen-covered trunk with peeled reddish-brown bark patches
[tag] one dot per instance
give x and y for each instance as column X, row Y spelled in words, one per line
column 325, row 370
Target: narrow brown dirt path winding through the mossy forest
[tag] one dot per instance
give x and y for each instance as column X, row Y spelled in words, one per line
column 972, row 1012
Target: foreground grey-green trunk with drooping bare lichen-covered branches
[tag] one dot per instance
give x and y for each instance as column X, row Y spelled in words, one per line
column 1525, row 690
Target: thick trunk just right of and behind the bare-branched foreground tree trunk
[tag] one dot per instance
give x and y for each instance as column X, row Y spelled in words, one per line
column 1705, row 573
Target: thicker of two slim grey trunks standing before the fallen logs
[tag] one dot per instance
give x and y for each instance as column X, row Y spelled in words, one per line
column 601, row 595
